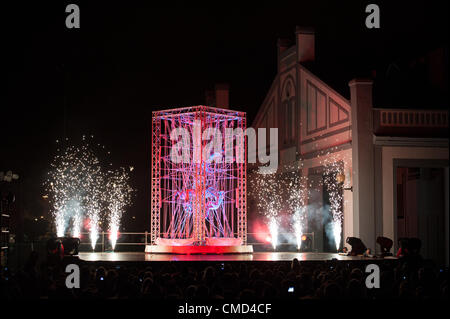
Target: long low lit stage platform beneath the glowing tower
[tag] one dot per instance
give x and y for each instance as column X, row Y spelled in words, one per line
column 257, row 256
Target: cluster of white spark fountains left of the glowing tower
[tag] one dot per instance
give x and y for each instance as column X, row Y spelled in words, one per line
column 79, row 189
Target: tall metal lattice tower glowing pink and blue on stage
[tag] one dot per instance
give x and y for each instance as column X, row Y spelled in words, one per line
column 199, row 192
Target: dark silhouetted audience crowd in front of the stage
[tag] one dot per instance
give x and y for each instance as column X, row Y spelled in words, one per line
column 403, row 279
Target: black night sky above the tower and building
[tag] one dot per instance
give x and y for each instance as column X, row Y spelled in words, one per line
column 130, row 58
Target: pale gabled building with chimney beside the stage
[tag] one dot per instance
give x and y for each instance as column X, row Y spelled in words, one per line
column 372, row 146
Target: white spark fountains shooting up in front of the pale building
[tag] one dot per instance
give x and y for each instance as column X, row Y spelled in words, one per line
column 289, row 191
